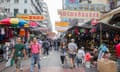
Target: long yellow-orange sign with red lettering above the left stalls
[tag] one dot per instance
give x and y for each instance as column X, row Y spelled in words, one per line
column 31, row 17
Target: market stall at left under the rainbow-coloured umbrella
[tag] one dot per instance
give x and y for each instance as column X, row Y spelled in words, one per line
column 10, row 27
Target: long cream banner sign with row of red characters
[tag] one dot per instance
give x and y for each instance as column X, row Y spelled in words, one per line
column 79, row 14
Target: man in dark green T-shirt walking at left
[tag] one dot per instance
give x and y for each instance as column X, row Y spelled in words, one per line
column 17, row 53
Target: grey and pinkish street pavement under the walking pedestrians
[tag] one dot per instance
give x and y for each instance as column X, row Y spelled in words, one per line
column 49, row 63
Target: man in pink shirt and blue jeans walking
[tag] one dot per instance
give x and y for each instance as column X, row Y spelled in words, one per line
column 35, row 54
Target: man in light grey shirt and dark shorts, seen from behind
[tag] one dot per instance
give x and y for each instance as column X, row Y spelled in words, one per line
column 72, row 49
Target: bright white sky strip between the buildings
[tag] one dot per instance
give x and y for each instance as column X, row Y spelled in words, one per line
column 53, row 6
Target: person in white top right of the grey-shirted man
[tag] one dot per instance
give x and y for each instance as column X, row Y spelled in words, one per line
column 80, row 56
